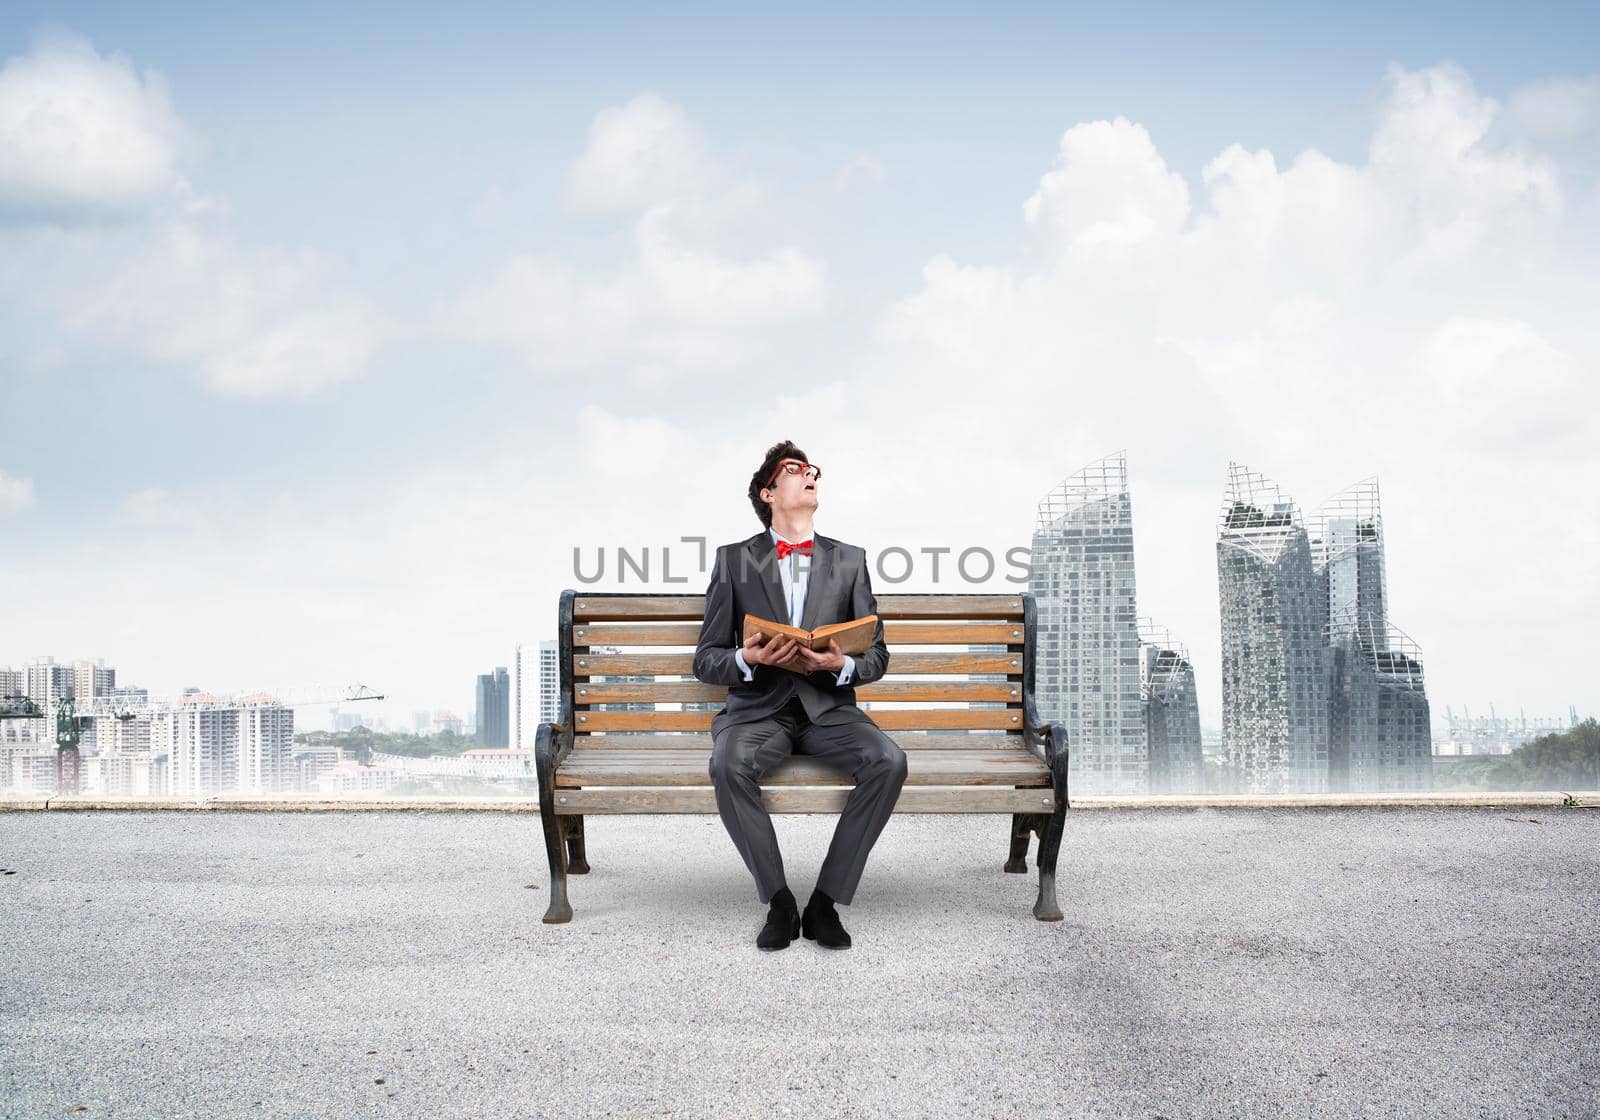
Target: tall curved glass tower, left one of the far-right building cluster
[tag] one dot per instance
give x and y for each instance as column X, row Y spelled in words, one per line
column 1274, row 658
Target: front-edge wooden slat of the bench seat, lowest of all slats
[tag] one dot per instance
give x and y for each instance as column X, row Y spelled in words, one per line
column 913, row 799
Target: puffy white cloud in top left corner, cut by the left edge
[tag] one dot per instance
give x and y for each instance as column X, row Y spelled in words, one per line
column 84, row 132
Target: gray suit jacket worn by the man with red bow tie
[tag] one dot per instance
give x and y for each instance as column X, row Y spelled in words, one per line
column 745, row 580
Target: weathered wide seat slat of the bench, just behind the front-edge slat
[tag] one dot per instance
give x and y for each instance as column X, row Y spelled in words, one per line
column 657, row 769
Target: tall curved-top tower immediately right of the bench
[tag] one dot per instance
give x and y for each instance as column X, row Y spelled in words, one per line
column 1087, row 670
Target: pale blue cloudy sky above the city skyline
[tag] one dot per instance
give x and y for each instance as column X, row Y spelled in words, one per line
column 391, row 186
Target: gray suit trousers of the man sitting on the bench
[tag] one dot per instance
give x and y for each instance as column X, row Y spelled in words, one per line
column 746, row 751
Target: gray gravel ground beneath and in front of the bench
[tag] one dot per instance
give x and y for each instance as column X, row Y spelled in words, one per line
column 1214, row 964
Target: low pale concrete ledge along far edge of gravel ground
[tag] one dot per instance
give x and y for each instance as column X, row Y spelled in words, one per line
column 302, row 804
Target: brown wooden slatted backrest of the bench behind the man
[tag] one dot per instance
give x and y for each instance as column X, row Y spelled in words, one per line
column 958, row 663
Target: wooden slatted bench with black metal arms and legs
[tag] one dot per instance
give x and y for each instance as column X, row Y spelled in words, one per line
column 959, row 700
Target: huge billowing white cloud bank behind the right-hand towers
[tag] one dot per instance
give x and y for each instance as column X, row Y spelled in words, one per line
column 1313, row 318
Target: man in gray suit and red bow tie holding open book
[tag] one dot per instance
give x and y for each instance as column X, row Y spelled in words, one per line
column 785, row 698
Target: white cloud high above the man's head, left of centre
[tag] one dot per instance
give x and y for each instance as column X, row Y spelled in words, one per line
column 692, row 295
